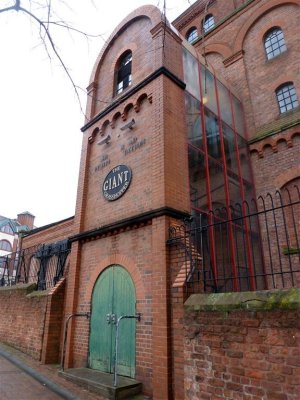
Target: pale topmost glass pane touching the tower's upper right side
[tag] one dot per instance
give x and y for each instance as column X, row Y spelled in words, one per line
column 191, row 73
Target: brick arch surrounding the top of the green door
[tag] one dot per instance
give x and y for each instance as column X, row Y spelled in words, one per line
column 126, row 263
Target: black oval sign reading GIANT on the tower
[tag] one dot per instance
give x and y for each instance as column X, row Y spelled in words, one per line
column 116, row 182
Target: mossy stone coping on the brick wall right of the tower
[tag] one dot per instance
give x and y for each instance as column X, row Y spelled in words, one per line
column 265, row 300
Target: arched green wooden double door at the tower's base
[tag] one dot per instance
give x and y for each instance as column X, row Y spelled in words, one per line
column 113, row 294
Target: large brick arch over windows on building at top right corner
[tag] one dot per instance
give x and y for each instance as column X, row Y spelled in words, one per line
column 238, row 45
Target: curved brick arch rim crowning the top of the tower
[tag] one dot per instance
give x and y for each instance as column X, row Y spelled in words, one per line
column 150, row 12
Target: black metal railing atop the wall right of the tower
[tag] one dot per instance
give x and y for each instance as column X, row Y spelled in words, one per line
column 249, row 246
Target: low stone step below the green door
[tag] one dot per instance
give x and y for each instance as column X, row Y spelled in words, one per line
column 102, row 383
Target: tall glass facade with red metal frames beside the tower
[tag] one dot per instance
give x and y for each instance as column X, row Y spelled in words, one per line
column 220, row 176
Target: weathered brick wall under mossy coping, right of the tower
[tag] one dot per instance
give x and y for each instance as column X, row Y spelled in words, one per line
column 242, row 355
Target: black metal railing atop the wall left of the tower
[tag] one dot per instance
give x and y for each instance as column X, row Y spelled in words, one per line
column 43, row 264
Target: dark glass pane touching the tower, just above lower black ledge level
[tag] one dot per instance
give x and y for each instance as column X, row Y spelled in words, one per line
column 197, row 179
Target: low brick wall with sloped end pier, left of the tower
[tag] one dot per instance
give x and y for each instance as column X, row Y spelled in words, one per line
column 31, row 321
